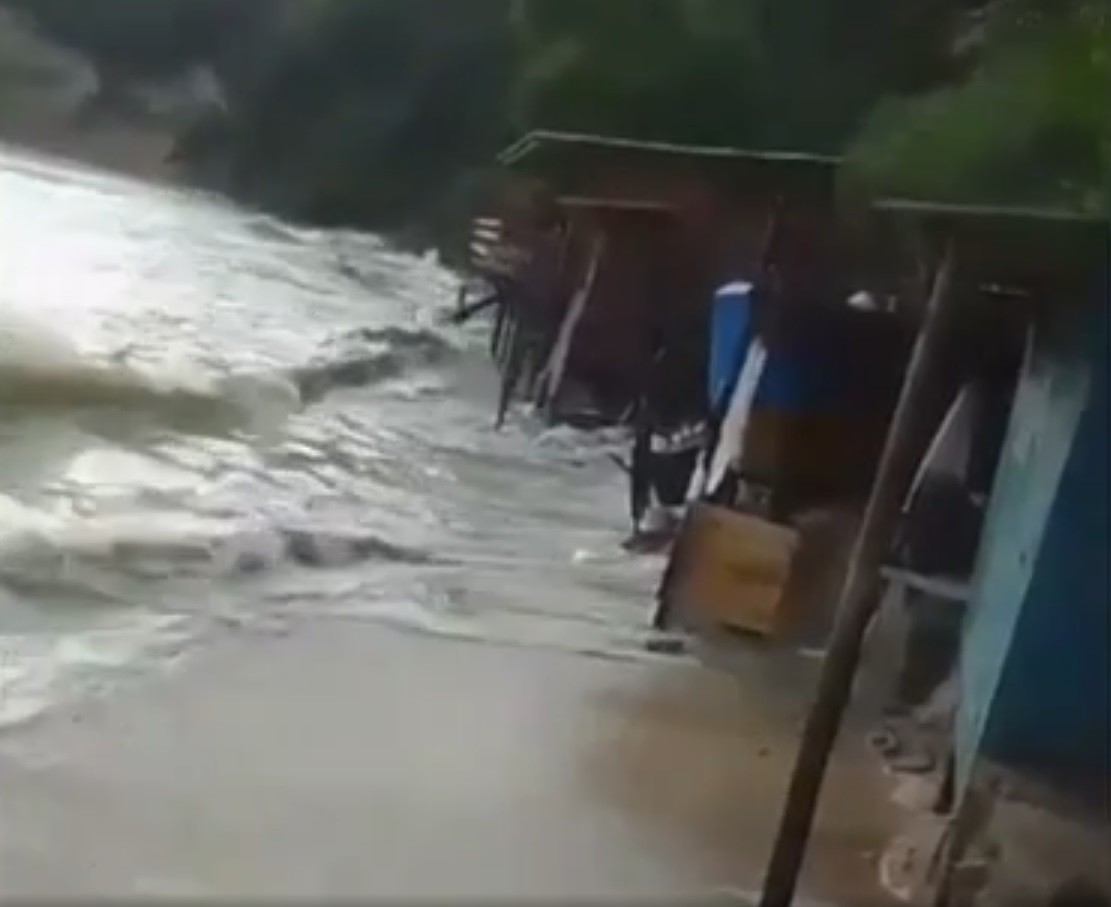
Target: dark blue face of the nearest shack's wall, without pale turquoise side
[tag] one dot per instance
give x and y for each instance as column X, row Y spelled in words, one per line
column 1054, row 701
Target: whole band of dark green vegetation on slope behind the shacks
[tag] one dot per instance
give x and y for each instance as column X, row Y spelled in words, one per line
column 388, row 113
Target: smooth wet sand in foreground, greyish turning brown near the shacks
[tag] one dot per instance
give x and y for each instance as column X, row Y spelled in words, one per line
column 347, row 760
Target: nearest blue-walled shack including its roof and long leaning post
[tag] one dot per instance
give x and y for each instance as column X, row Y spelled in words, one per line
column 1032, row 729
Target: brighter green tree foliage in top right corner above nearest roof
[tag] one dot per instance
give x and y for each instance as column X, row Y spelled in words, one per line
column 1032, row 124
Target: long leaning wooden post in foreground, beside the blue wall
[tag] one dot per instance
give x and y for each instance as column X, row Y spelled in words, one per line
column 859, row 599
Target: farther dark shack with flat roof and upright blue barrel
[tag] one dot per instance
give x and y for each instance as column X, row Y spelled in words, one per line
column 665, row 251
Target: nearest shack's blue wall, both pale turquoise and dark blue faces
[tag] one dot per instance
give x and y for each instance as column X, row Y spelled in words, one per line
column 1034, row 650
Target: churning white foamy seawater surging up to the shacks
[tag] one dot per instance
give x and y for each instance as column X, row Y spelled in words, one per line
column 213, row 422
